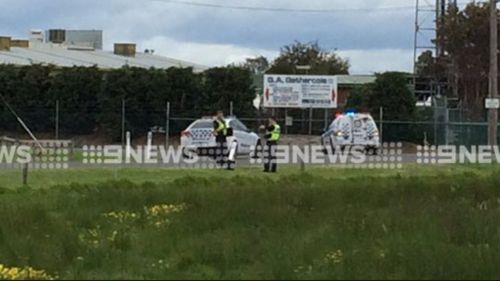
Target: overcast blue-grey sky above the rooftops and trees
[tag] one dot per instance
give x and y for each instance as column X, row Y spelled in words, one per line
column 376, row 35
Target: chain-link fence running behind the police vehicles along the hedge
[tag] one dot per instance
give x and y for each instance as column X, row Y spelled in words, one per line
column 56, row 121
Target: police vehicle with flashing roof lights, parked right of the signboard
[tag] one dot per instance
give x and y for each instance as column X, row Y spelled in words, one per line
column 352, row 129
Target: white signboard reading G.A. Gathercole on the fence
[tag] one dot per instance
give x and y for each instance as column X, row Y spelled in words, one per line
column 300, row 91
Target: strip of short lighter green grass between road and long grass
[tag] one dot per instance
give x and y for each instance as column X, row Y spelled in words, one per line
column 10, row 178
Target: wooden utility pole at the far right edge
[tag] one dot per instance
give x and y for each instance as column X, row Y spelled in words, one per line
column 493, row 81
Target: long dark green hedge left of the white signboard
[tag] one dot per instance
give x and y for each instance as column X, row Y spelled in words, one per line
column 91, row 99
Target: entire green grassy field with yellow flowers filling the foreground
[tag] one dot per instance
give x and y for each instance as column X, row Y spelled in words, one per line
column 326, row 223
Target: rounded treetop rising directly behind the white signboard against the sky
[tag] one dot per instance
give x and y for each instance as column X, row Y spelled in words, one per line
column 322, row 62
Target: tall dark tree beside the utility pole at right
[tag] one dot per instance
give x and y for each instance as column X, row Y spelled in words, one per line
column 464, row 35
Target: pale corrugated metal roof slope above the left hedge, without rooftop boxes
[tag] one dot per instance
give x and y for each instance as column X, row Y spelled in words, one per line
column 63, row 57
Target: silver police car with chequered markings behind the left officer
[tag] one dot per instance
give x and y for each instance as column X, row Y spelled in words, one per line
column 198, row 138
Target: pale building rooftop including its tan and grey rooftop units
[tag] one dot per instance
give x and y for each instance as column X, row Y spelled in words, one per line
column 37, row 50
